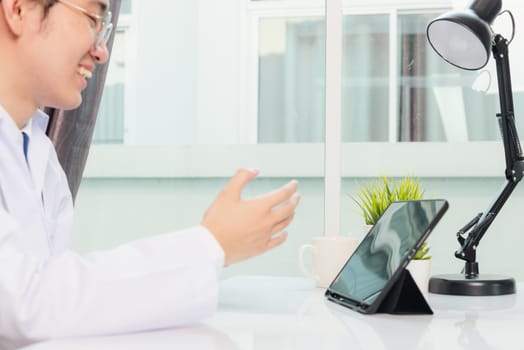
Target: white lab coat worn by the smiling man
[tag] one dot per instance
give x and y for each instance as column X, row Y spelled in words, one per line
column 48, row 291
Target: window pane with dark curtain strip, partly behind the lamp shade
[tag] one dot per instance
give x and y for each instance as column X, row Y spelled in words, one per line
column 436, row 100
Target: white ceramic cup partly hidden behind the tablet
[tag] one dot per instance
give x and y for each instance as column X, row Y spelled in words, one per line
column 329, row 254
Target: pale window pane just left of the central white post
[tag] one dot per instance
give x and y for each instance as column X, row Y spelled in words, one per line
column 291, row 100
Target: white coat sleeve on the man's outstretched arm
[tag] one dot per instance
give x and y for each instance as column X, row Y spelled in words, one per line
column 158, row 282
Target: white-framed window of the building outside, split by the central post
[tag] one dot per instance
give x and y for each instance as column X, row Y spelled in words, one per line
column 395, row 88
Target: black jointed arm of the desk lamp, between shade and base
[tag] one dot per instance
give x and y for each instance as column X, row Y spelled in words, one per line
column 513, row 155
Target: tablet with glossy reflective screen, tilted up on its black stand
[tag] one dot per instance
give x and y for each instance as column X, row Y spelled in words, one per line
column 383, row 254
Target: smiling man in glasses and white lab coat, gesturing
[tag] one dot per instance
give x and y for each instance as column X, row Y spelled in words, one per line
column 49, row 49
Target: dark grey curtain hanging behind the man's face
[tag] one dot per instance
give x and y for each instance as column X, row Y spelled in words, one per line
column 71, row 131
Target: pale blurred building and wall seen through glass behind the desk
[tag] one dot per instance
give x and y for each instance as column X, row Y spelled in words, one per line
column 198, row 89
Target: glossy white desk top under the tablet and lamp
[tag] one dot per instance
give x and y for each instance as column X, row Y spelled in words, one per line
column 259, row 313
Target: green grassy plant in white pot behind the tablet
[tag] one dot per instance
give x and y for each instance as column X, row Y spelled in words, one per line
column 374, row 198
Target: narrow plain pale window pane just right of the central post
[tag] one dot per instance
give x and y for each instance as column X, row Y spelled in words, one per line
column 365, row 85
